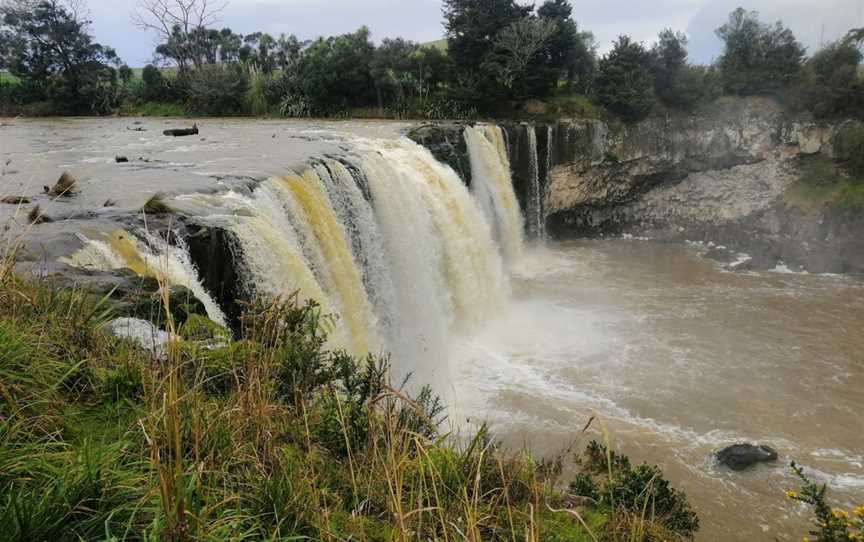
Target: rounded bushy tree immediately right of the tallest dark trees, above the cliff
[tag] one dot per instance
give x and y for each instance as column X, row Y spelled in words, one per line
column 624, row 83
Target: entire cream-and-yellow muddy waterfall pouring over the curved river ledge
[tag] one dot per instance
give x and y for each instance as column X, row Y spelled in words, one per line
column 386, row 239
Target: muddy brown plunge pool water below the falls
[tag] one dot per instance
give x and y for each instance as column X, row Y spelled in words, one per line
column 679, row 358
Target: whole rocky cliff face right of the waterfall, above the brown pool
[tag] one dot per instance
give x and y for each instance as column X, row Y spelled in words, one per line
column 720, row 176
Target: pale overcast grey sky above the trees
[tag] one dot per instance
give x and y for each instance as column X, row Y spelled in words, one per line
column 814, row 21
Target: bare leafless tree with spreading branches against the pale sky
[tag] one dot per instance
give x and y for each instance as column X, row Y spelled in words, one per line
column 180, row 27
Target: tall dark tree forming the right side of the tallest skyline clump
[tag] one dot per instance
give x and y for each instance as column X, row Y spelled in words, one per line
column 571, row 52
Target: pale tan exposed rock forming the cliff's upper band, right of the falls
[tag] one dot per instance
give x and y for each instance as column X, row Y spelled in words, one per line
column 625, row 162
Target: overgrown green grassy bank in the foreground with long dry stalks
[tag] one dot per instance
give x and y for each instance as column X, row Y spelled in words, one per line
column 269, row 436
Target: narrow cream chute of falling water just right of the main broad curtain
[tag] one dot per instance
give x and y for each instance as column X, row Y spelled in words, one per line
column 493, row 186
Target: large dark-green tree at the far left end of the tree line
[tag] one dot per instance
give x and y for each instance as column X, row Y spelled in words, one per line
column 46, row 44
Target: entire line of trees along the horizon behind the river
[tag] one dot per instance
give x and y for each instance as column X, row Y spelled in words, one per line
column 497, row 54
